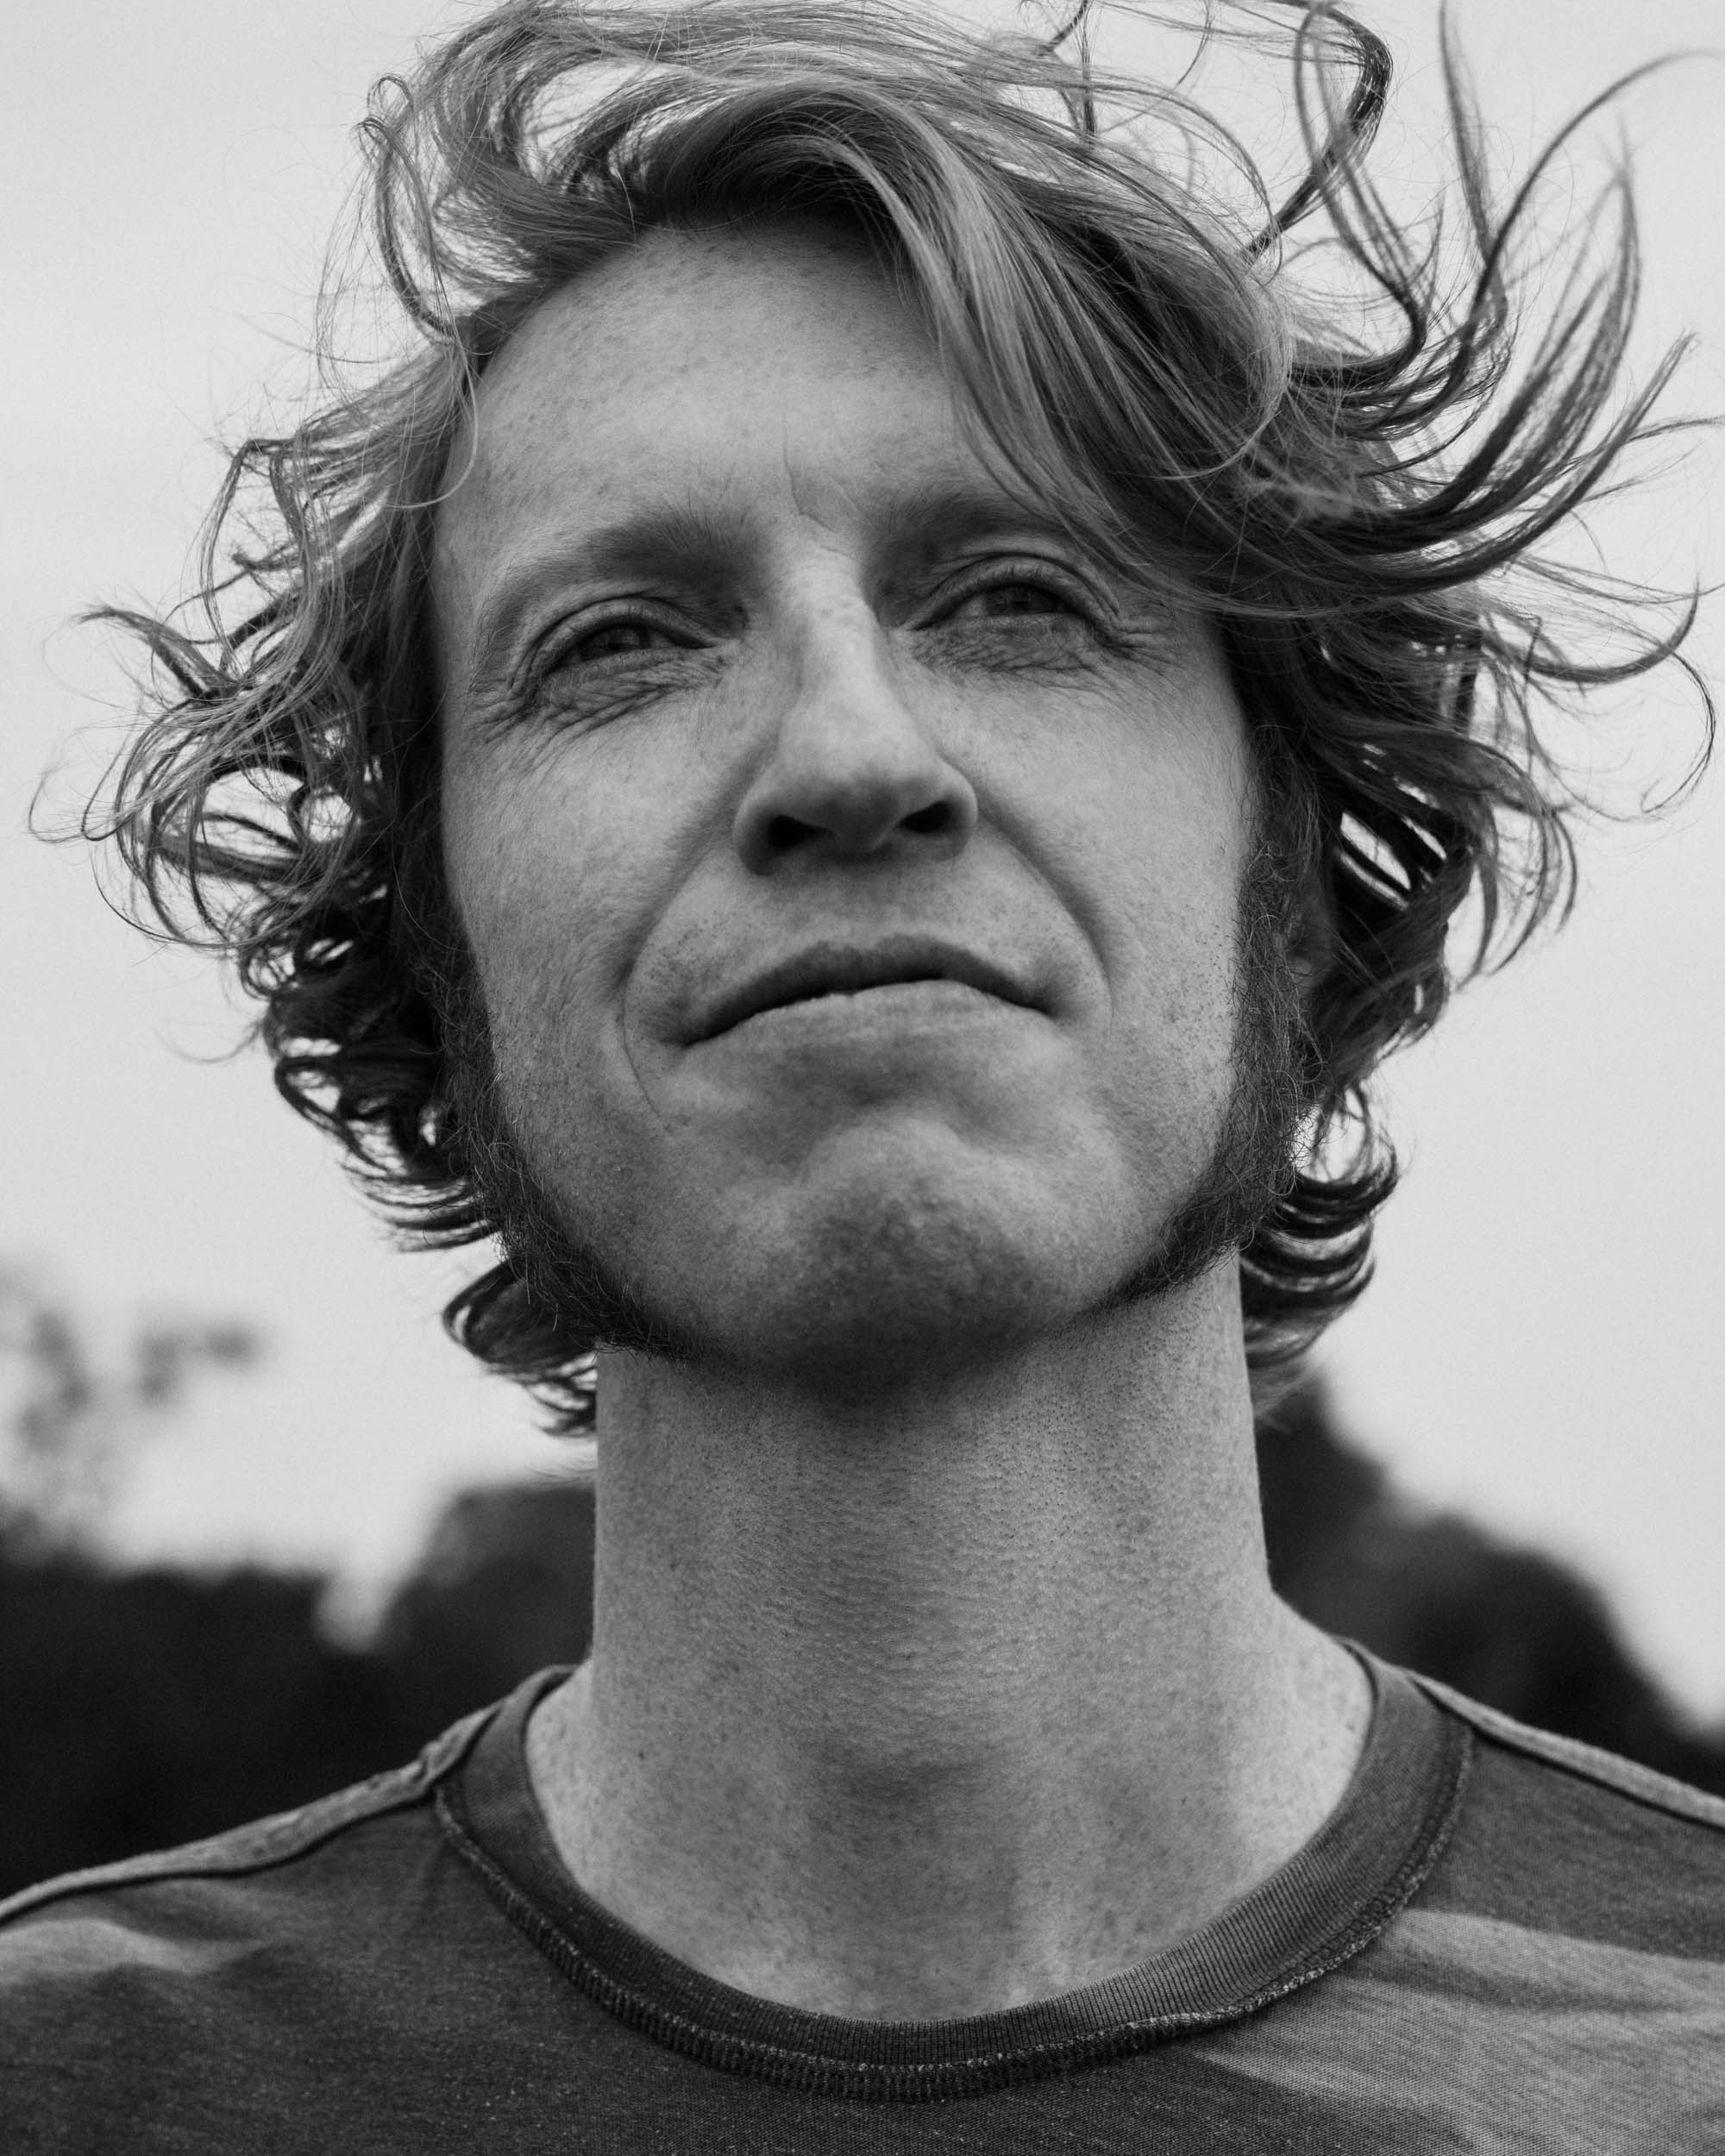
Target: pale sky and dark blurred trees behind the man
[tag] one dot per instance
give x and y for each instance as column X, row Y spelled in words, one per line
column 264, row 1530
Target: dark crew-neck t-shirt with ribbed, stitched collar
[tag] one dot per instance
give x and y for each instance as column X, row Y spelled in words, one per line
column 1498, row 1941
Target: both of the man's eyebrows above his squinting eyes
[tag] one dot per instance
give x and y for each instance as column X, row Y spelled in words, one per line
column 917, row 527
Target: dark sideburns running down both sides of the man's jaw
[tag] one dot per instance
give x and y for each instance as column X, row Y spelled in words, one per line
column 585, row 1301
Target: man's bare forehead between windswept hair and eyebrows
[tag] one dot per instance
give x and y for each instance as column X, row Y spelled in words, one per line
column 646, row 421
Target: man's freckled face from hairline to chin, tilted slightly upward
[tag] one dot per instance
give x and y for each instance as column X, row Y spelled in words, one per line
column 851, row 868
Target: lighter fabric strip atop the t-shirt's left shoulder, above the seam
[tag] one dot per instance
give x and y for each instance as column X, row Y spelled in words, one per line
column 275, row 1840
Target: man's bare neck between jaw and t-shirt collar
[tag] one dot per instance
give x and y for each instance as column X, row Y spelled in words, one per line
column 911, row 1706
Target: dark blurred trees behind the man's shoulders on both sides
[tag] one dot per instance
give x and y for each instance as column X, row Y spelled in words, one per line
column 146, row 1709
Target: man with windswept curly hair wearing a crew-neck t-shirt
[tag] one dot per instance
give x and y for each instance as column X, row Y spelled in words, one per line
column 859, row 760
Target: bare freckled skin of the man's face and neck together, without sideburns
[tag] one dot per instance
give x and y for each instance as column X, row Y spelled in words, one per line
column 937, row 1663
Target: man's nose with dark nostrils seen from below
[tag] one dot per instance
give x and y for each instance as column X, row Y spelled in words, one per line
column 853, row 773
